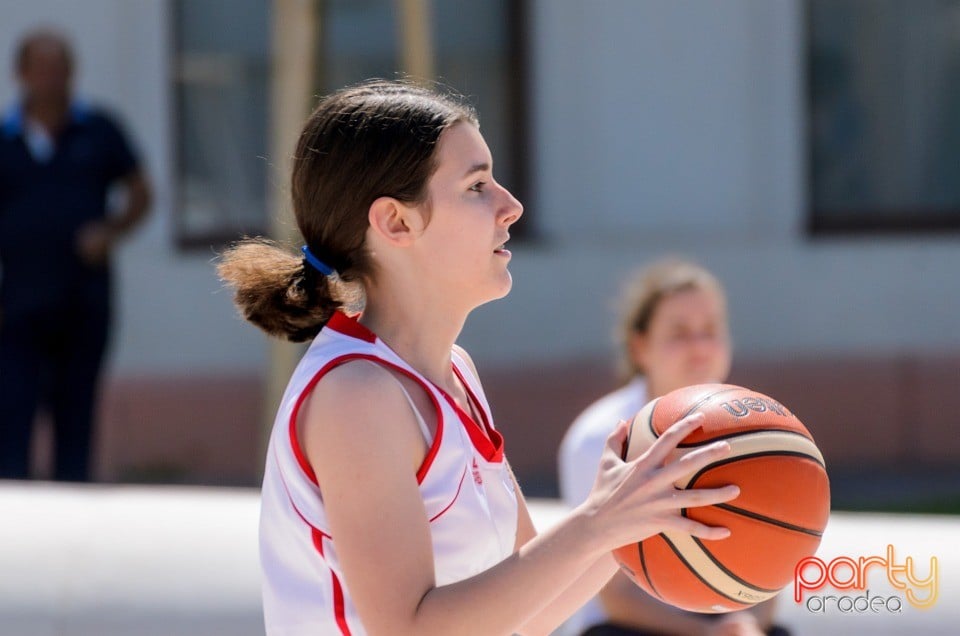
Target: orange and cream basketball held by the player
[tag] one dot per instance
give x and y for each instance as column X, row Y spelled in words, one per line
column 776, row 521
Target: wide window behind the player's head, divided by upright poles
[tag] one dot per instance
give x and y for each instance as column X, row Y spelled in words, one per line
column 222, row 93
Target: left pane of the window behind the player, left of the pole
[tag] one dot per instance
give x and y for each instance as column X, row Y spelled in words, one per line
column 222, row 92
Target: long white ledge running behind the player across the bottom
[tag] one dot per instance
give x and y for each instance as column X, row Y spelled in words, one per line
column 78, row 560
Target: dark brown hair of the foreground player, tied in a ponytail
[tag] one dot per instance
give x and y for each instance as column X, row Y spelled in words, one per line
column 361, row 143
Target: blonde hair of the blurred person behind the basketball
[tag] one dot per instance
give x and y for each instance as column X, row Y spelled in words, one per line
column 644, row 291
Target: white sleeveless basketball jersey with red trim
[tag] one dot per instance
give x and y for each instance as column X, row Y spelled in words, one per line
column 466, row 487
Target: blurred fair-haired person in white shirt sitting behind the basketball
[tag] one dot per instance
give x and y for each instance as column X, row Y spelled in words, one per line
column 673, row 333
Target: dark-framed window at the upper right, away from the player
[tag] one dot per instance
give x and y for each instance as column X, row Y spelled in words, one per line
column 884, row 100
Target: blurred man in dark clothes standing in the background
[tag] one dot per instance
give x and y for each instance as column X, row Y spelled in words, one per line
column 59, row 160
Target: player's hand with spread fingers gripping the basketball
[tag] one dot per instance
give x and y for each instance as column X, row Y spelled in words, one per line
column 631, row 501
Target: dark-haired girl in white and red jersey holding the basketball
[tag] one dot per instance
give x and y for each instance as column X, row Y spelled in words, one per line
column 388, row 506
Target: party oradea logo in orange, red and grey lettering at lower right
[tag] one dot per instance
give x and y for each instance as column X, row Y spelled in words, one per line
column 842, row 585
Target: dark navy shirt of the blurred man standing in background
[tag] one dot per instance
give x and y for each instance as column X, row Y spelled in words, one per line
column 43, row 203
